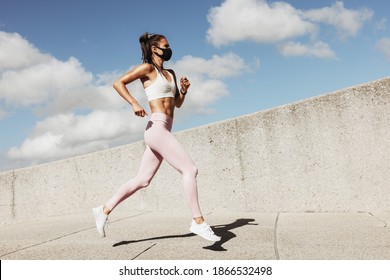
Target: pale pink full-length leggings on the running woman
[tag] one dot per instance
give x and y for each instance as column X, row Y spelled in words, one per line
column 161, row 144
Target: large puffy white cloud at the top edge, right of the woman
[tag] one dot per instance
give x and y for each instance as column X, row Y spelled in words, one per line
column 255, row 20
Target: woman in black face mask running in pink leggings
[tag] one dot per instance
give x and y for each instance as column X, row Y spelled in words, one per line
column 163, row 96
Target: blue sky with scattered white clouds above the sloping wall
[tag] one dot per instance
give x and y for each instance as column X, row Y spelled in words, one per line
column 58, row 60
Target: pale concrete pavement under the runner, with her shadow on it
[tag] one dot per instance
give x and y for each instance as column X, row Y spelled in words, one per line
column 165, row 236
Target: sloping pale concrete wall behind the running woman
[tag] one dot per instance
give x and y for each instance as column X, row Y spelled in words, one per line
column 329, row 153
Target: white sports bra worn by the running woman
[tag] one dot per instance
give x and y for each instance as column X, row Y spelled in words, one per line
column 161, row 87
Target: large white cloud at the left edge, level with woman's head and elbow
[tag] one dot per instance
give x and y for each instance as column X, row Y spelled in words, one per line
column 47, row 84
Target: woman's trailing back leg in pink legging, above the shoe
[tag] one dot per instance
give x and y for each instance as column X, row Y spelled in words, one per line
column 150, row 163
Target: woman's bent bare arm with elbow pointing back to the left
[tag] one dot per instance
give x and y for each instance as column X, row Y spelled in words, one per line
column 139, row 72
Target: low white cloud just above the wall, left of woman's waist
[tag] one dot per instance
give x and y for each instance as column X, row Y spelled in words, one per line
column 66, row 135
